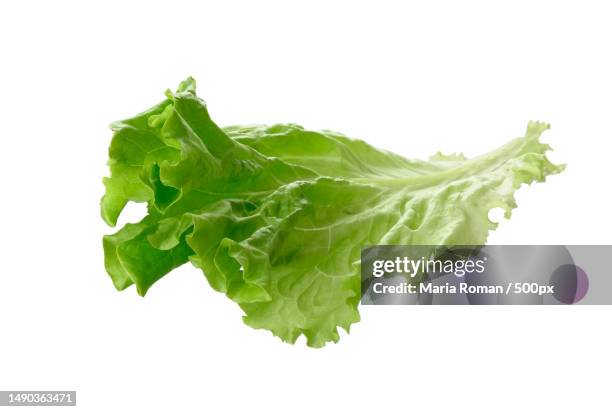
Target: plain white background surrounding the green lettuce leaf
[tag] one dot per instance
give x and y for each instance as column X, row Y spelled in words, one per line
column 412, row 77
